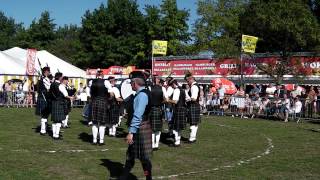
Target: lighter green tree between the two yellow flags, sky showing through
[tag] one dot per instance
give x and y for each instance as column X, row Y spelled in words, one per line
column 218, row 28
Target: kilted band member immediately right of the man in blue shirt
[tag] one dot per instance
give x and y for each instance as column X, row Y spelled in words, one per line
column 156, row 113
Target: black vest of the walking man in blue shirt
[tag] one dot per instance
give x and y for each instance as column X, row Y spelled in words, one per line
column 130, row 108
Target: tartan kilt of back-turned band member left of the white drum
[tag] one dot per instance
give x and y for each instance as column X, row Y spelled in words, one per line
column 99, row 112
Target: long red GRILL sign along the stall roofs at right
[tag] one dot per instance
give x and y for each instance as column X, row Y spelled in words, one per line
column 303, row 65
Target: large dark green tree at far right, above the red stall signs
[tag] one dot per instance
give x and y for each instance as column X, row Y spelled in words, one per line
column 283, row 26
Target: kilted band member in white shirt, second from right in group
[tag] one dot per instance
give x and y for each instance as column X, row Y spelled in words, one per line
column 179, row 111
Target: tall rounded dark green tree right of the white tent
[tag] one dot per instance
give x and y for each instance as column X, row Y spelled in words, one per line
column 113, row 35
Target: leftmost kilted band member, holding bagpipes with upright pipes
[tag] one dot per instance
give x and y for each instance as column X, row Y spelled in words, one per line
column 43, row 101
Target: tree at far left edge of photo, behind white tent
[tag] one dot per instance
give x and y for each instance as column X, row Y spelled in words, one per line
column 8, row 31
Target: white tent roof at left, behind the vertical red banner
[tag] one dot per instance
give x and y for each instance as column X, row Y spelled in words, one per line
column 56, row 64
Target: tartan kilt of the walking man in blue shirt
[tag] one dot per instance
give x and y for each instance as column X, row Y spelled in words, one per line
column 142, row 143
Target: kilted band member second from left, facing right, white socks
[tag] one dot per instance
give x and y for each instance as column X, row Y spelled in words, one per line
column 59, row 110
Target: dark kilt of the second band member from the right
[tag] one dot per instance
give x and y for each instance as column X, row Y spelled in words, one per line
column 179, row 118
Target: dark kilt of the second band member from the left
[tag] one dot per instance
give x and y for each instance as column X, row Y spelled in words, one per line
column 58, row 111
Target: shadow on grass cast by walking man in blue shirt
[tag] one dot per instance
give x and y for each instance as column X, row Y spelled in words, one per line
column 115, row 169
